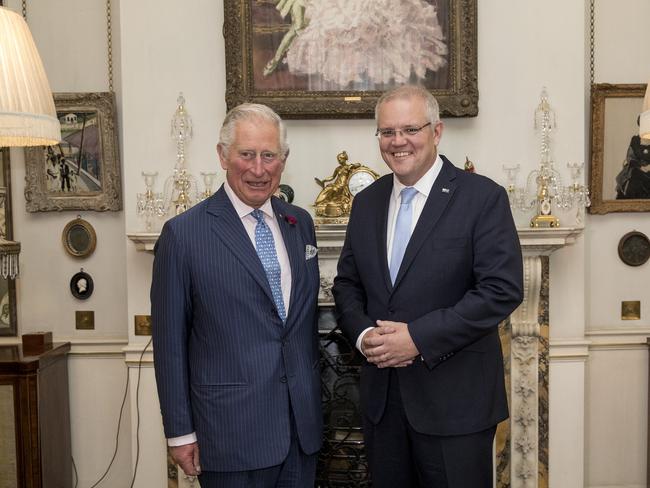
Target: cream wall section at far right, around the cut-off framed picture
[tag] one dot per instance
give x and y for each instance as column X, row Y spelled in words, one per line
column 617, row 380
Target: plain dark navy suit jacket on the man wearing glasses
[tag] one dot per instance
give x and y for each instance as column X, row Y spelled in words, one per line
column 461, row 275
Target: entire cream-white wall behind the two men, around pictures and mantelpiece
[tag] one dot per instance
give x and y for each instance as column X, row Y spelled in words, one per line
column 164, row 47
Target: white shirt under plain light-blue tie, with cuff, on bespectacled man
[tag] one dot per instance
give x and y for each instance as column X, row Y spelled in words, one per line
column 423, row 187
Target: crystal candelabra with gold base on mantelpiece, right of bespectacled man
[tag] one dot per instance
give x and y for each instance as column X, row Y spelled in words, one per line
column 544, row 190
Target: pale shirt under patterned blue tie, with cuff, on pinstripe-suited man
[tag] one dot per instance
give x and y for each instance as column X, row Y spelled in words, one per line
column 244, row 213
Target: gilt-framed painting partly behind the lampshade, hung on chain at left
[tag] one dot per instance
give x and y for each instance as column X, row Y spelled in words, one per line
column 83, row 172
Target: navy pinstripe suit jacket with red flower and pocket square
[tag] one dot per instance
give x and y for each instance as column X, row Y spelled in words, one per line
column 226, row 367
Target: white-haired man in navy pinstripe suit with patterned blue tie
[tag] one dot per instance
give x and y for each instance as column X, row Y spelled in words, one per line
column 233, row 298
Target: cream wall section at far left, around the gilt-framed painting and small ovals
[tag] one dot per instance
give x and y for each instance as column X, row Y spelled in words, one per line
column 71, row 37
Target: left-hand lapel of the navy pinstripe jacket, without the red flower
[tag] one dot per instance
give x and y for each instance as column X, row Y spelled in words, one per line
column 228, row 227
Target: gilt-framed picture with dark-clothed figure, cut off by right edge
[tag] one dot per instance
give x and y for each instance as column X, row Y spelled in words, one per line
column 620, row 160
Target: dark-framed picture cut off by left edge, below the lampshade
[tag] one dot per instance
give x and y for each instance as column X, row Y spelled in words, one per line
column 7, row 286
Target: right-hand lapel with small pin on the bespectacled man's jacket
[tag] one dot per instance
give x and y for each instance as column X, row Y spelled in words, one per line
column 441, row 194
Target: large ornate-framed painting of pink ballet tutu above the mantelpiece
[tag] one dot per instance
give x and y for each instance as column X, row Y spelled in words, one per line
column 334, row 58
